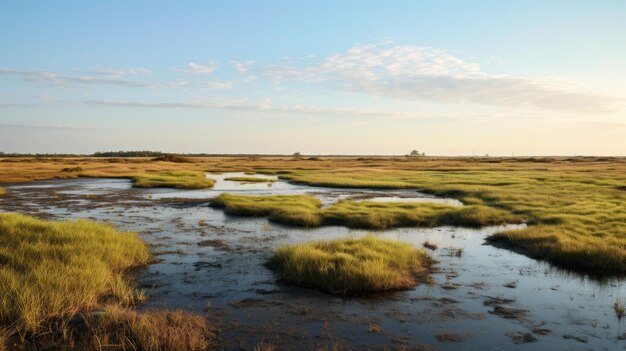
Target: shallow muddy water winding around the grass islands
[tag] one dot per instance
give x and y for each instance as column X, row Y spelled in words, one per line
column 483, row 298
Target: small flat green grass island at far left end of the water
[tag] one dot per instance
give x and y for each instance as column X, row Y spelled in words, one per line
column 174, row 179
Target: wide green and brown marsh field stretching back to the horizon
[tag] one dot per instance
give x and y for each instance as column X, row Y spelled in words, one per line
column 574, row 206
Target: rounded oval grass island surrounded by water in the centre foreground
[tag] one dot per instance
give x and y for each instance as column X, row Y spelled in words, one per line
column 352, row 266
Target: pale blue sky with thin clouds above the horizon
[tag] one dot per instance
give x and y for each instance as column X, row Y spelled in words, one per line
column 319, row 77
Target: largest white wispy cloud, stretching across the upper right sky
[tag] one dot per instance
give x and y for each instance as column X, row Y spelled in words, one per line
column 430, row 74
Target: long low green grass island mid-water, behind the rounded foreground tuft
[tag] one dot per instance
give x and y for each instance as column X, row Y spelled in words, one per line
column 305, row 210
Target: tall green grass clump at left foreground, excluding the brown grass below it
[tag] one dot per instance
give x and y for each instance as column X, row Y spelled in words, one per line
column 49, row 271
